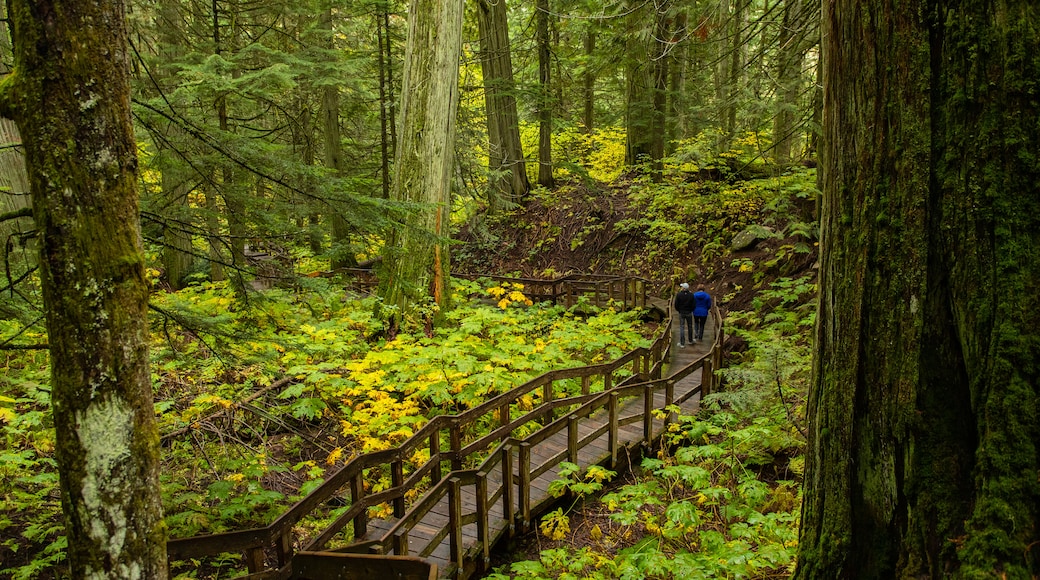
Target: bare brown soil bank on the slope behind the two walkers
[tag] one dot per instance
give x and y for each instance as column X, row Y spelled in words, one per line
column 576, row 232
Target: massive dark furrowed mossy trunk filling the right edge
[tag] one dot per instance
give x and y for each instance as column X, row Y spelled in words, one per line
column 925, row 413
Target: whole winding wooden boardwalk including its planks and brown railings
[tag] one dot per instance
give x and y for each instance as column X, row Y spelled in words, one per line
column 487, row 470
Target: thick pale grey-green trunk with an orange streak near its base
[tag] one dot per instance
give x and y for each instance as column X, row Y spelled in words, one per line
column 417, row 259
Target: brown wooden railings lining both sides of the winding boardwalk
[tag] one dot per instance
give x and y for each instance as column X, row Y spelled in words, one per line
column 451, row 444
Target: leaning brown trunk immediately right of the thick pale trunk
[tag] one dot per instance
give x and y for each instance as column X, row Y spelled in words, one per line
column 506, row 164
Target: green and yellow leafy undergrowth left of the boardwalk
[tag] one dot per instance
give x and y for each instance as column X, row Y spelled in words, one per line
column 235, row 457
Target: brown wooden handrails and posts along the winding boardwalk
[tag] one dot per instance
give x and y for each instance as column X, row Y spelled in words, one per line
column 645, row 378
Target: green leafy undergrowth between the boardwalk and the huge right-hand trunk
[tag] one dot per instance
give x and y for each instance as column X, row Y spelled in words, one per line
column 725, row 504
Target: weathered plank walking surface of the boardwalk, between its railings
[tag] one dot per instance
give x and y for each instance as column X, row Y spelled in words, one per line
column 427, row 539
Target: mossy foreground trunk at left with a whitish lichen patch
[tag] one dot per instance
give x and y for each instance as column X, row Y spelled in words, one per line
column 71, row 98
